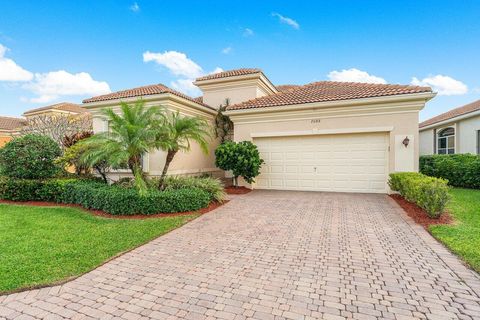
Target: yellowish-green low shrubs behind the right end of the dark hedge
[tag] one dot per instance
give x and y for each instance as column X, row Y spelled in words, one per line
column 214, row 187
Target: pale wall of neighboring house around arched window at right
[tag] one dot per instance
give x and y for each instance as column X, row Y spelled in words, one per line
column 465, row 135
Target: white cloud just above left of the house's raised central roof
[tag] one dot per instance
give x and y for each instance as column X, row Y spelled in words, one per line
column 176, row 62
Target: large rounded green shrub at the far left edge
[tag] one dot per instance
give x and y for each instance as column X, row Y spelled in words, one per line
column 30, row 157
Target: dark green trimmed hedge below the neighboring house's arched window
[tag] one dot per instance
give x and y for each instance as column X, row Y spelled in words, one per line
column 461, row 170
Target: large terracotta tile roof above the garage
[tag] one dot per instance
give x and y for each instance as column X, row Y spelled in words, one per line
column 328, row 91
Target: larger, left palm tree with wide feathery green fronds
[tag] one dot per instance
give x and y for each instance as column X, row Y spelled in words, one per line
column 132, row 133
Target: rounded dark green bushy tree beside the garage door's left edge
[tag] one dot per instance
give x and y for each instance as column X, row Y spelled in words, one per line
column 242, row 158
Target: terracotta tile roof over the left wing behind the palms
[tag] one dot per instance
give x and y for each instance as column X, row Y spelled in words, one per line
column 141, row 92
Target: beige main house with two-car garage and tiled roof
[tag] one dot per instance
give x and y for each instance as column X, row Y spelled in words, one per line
column 325, row 136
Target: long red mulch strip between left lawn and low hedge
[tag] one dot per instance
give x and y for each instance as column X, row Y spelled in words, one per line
column 211, row 206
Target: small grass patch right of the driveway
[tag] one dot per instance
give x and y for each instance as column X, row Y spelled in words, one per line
column 463, row 237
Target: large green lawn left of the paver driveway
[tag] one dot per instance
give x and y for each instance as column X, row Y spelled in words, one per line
column 41, row 245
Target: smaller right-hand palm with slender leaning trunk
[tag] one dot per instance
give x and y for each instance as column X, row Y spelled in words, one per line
column 177, row 133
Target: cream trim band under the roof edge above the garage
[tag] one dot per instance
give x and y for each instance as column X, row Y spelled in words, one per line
column 425, row 96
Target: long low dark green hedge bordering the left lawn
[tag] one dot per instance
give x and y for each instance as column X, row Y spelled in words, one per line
column 98, row 196
